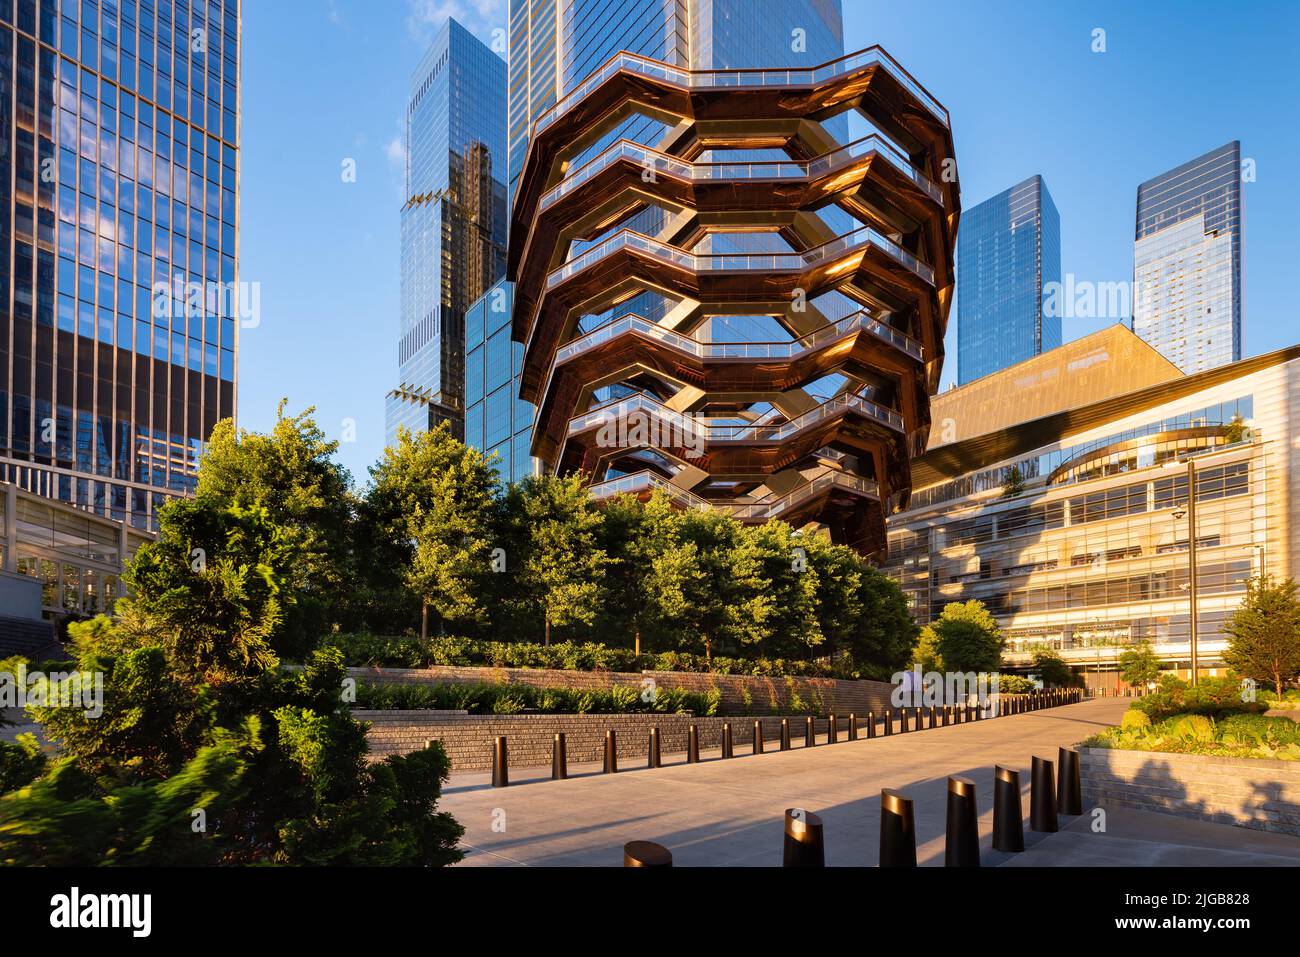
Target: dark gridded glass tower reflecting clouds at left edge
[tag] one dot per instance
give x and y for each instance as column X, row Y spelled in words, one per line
column 120, row 301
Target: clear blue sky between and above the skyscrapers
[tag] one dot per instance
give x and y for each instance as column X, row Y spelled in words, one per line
column 326, row 81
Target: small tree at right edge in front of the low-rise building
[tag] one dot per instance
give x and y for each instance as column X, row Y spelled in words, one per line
column 1264, row 633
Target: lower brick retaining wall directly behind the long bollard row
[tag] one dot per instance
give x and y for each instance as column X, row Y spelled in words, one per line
column 469, row 739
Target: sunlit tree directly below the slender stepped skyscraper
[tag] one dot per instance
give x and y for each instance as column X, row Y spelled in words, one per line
column 437, row 499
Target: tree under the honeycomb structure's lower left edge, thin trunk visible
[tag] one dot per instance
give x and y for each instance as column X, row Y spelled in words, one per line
column 562, row 571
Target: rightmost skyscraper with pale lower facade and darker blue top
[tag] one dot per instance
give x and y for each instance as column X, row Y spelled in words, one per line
column 1188, row 262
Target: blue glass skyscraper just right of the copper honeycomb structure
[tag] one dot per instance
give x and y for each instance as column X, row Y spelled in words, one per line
column 1008, row 253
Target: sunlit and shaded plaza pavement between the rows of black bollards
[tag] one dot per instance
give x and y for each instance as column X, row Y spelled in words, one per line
column 730, row 813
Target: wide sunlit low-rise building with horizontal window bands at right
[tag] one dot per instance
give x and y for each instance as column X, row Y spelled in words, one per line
column 1056, row 492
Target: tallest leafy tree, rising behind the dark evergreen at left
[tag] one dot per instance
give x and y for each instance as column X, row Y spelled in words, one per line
column 292, row 474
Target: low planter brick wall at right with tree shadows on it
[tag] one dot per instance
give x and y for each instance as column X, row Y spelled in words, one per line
column 1262, row 795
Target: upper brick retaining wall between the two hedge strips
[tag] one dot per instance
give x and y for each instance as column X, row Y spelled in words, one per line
column 766, row 695
